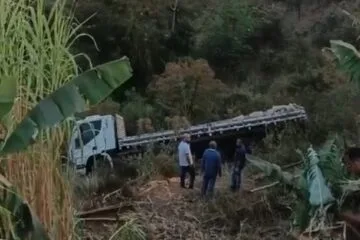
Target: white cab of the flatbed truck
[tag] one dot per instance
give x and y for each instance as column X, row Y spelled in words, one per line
column 93, row 136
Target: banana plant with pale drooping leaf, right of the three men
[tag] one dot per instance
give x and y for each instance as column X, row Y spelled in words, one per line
column 311, row 185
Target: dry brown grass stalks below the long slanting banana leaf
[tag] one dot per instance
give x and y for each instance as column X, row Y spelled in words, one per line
column 37, row 176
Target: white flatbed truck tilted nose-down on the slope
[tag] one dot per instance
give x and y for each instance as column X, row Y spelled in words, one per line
column 98, row 136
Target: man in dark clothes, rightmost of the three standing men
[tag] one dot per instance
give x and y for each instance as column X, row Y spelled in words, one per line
column 239, row 163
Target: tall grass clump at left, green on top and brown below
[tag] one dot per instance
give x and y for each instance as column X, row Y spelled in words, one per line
column 35, row 52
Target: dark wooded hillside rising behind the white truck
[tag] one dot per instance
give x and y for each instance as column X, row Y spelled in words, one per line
column 261, row 53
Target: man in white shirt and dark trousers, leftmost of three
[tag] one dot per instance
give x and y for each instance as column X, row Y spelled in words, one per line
column 186, row 162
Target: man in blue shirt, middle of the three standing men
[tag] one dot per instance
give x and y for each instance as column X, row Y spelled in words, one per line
column 211, row 168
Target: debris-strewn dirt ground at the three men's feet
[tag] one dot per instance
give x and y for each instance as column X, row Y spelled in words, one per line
column 166, row 211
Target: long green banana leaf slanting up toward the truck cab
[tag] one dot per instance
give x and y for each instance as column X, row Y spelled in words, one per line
column 93, row 85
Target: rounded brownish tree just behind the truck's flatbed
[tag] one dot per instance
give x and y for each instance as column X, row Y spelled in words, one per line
column 188, row 88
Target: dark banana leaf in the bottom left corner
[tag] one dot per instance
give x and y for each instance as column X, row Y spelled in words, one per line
column 24, row 224
